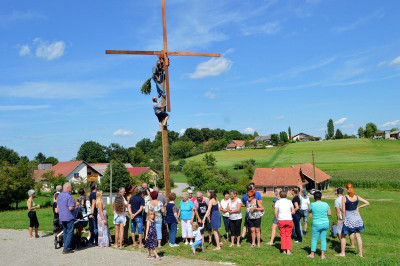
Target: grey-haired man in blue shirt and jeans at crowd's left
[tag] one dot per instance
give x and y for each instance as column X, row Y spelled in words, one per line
column 66, row 210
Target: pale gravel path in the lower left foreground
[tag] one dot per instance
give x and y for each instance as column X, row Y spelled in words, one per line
column 17, row 249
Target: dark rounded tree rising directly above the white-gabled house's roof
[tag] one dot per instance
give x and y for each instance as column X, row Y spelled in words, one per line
column 92, row 152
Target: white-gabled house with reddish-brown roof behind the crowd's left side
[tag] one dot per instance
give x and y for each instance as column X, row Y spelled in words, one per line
column 74, row 171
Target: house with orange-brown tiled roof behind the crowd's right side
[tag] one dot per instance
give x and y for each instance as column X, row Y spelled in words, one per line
column 267, row 180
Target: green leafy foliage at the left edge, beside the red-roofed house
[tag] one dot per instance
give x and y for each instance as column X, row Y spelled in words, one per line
column 15, row 181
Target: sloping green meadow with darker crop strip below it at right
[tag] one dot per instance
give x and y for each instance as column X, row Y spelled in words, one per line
column 365, row 162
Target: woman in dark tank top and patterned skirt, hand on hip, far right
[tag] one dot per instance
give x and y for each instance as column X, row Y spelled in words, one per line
column 352, row 221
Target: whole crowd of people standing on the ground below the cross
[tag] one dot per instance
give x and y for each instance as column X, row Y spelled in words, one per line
column 153, row 218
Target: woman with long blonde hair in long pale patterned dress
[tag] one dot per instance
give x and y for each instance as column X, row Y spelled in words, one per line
column 104, row 237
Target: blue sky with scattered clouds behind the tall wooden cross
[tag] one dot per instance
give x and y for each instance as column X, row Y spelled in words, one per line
column 284, row 63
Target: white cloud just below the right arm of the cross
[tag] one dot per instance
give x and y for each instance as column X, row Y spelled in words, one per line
column 212, row 67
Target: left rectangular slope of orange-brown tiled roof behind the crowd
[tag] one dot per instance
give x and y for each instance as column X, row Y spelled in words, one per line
column 288, row 176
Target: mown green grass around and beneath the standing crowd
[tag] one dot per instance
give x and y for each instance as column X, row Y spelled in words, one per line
column 380, row 238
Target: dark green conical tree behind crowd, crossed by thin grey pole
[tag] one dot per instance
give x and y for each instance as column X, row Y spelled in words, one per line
column 120, row 177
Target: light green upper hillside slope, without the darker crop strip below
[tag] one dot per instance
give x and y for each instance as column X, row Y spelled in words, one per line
column 329, row 155
